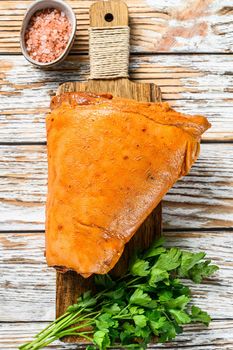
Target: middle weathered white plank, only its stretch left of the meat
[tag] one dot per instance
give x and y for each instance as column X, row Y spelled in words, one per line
column 23, row 172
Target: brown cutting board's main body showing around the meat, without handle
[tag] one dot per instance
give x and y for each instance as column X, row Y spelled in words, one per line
column 70, row 285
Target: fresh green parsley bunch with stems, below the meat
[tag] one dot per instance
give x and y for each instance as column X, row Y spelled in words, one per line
column 149, row 302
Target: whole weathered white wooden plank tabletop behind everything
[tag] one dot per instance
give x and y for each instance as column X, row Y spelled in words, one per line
column 186, row 47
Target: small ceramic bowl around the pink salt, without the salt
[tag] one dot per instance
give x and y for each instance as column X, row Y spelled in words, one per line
column 41, row 5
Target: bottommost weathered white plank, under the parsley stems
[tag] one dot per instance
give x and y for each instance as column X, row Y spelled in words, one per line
column 218, row 336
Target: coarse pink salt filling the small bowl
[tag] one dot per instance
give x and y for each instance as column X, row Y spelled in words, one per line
column 47, row 35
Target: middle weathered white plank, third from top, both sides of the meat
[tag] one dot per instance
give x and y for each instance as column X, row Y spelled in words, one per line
column 202, row 199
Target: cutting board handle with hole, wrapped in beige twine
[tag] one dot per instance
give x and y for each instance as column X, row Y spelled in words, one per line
column 109, row 40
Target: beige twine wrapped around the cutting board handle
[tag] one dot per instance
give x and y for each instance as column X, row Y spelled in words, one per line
column 109, row 52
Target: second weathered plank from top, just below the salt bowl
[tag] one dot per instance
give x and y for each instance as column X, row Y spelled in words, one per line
column 193, row 84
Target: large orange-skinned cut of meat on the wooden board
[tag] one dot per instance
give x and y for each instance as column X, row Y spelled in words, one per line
column 110, row 162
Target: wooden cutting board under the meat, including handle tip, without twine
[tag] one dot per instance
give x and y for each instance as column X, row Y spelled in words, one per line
column 70, row 285
